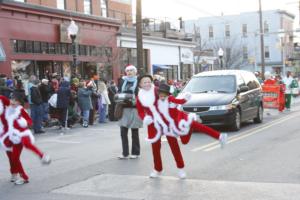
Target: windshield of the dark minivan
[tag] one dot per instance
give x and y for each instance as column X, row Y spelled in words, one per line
column 208, row 84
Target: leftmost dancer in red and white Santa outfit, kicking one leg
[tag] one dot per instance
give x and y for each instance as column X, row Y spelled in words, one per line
column 17, row 137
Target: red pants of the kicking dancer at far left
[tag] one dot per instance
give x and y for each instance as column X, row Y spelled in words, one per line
column 14, row 156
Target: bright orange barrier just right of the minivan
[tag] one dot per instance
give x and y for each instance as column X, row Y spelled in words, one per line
column 273, row 96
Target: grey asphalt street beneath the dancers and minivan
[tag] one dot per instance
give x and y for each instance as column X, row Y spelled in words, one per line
column 261, row 161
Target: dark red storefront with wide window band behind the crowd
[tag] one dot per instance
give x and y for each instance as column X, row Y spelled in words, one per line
column 36, row 43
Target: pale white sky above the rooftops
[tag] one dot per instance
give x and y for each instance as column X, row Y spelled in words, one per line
column 193, row 9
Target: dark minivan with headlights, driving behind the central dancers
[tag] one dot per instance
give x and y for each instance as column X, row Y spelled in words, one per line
column 225, row 97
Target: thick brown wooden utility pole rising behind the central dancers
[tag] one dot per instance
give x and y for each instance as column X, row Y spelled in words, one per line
column 139, row 38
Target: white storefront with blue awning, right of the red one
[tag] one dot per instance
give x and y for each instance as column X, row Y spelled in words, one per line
column 170, row 58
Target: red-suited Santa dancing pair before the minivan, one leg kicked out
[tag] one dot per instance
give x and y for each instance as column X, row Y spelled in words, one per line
column 162, row 118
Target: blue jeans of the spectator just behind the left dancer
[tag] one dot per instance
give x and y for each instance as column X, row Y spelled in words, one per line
column 36, row 113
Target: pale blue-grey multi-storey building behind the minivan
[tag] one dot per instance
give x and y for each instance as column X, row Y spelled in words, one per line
column 239, row 38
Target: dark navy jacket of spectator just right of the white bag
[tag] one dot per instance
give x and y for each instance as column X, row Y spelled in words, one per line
column 63, row 95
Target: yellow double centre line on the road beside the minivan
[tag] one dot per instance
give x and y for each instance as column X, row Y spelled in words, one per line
column 215, row 145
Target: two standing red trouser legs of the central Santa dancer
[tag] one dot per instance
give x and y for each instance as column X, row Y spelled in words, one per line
column 175, row 151
